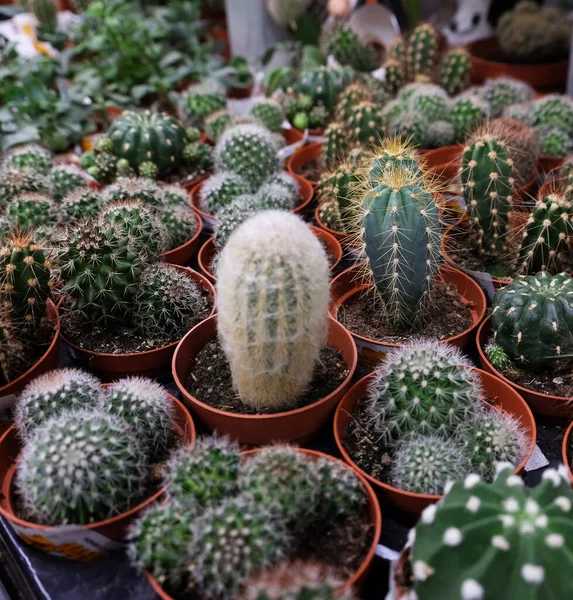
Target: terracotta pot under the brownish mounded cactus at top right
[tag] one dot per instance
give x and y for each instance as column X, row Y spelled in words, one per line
column 543, row 76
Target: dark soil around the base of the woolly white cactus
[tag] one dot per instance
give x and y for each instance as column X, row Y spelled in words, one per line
column 210, row 380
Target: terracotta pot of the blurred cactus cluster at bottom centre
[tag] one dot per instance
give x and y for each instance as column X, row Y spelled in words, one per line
column 356, row 582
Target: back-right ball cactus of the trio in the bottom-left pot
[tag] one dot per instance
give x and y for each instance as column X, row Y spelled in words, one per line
column 148, row 410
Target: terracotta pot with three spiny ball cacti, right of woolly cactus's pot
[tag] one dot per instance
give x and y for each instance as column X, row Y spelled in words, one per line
column 507, row 399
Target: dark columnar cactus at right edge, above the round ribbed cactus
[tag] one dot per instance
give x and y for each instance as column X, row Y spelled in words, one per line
column 547, row 231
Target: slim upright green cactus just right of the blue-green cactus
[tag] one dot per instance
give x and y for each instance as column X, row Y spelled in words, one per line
column 487, row 182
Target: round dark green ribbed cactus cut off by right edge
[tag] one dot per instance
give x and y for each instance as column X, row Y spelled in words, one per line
column 532, row 319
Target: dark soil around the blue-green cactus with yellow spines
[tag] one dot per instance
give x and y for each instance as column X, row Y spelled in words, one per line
column 446, row 317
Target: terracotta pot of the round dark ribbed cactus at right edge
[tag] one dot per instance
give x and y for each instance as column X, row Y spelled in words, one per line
column 544, row 404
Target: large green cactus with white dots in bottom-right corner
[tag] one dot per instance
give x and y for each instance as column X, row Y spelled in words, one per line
column 526, row 534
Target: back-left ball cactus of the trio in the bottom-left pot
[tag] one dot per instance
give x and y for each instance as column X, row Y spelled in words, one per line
column 52, row 394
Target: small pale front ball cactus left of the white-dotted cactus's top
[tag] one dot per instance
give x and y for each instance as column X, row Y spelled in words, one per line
column 424, row 464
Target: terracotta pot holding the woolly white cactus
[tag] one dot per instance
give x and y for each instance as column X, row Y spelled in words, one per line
column 299, row 425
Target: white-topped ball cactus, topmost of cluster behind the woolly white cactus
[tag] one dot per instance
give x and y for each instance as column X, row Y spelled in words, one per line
column 249, row 151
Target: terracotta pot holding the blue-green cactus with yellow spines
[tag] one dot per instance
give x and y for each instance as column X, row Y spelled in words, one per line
column 348, row 287
